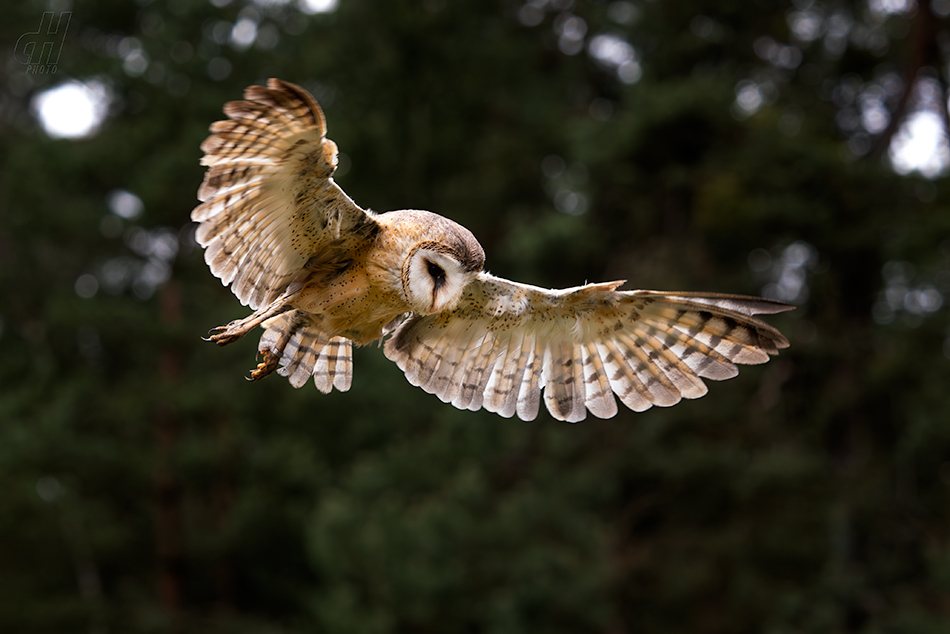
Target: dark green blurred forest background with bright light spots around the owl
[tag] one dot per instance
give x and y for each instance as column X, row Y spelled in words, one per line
column 735, row 146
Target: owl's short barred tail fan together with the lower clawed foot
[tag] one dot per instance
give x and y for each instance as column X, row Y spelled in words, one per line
column 295, row 348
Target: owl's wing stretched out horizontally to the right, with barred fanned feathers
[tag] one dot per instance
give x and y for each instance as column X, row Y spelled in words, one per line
column 506, row 341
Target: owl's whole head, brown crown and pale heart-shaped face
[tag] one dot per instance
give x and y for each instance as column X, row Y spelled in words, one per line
column 440, row 265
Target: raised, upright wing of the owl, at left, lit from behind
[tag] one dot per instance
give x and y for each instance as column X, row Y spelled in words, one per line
column 269, row 202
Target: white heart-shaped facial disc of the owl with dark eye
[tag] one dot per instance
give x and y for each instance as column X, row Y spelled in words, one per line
column 434, row 278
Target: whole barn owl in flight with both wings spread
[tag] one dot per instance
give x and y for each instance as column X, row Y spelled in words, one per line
column 321, row 274
